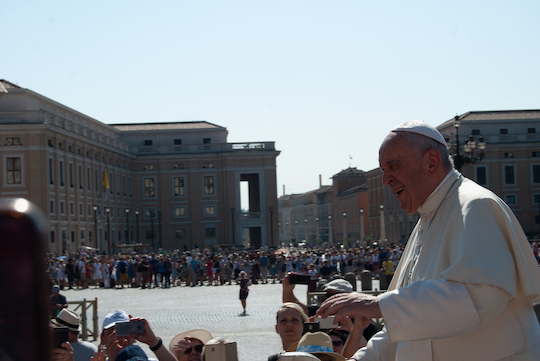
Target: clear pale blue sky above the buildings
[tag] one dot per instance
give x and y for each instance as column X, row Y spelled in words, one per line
column 325, row 80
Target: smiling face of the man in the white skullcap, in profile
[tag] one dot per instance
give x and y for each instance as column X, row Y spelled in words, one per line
column 404, row 172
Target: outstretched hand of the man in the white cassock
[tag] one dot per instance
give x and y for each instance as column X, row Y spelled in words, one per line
column 353, row 305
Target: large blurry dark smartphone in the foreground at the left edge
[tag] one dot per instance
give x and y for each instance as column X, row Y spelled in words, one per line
column 22, row 261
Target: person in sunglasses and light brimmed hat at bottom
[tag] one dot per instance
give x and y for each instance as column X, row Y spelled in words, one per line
column 188, row 346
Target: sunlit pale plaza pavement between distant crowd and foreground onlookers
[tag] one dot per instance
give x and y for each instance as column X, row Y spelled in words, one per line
column 213, row 308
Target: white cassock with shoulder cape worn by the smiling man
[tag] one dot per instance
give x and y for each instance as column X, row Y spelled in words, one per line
column 465, row 285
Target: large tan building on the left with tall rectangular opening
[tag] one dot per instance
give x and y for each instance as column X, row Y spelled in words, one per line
column 162, row 185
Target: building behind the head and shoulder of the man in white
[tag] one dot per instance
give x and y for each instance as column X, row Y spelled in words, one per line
column 510, row 166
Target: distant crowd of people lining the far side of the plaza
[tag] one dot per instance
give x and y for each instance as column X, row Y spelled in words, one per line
column 213, row 268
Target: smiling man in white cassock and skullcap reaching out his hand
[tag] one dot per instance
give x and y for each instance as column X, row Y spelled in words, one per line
column 465, row 282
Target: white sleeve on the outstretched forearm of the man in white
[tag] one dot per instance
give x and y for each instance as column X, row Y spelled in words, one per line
column 438, row 308
